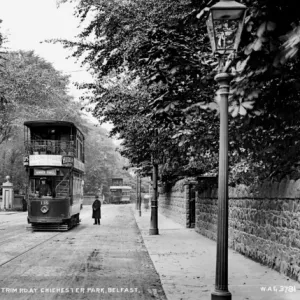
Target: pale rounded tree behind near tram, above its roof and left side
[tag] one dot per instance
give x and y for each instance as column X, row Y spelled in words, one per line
column 32, row 89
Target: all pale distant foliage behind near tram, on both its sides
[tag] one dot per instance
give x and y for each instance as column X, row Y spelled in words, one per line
column 34, row 90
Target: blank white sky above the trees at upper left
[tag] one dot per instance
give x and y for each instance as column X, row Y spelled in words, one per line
column 27, row 23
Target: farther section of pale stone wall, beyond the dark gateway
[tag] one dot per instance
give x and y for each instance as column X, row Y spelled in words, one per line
column 174, row 203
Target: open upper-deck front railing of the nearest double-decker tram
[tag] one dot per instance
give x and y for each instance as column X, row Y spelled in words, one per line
column 55, row 147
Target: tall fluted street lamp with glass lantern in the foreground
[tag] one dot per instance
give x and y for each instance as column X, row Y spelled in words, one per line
column 225, row 24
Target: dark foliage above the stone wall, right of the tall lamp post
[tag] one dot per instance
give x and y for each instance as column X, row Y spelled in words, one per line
column 265, row 91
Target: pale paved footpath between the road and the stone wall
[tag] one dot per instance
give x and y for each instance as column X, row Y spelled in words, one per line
column 186, row 262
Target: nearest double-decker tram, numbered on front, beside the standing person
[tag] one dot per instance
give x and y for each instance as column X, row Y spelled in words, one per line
column 54, row 161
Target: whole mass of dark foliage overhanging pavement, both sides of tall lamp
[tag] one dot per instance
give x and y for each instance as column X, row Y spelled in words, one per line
column 155, row 81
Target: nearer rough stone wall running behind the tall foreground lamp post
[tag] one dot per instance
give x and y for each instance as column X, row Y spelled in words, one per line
column 264, row 224
